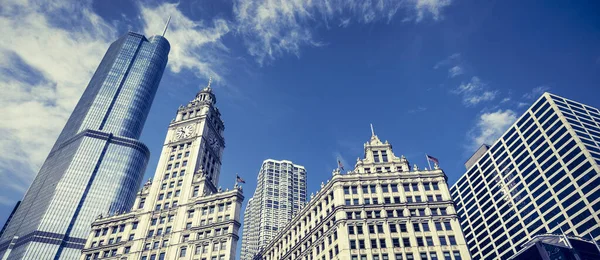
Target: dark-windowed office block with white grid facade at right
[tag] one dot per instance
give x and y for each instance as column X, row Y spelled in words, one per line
column 539, row 177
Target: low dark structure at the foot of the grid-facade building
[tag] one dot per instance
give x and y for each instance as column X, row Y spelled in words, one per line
column 558, row 247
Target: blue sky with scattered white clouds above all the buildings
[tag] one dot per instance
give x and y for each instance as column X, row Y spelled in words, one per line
column 301, row 80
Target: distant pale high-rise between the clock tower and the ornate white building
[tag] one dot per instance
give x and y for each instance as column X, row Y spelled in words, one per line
column 280, row 193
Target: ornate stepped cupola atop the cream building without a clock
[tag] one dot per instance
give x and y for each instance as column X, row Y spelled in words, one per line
column 379, row 158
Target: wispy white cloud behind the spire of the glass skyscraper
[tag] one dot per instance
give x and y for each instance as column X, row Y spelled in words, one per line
column 194, row 45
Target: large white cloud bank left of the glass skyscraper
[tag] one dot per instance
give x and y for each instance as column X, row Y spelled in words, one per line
column 43, row 71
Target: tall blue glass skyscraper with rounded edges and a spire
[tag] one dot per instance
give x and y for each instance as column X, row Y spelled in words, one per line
column 97, row 163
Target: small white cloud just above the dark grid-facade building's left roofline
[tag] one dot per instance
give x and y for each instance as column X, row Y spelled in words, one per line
column 490, row 126
